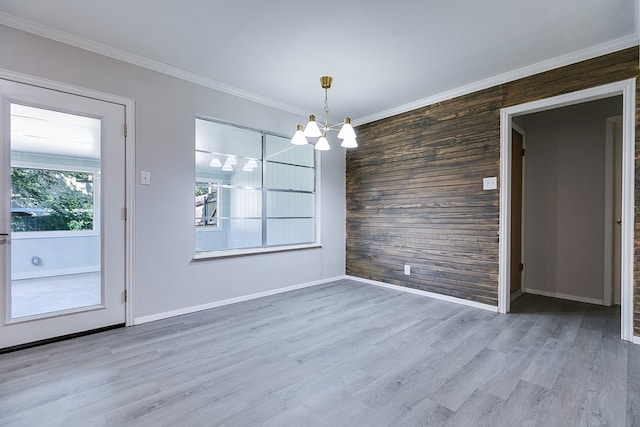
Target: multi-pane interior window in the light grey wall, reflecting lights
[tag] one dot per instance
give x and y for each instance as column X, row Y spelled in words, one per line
column 252, row 189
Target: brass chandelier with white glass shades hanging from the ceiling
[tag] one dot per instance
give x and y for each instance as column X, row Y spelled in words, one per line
column 315, row 130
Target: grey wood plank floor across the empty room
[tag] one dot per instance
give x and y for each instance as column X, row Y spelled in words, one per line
column 341, row 354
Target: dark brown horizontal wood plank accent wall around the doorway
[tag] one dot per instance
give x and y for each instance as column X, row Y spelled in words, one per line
column 414, row 186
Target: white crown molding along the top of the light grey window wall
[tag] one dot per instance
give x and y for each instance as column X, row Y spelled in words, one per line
column 122, row 55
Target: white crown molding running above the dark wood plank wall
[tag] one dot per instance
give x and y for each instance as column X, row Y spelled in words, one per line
column 540, row 67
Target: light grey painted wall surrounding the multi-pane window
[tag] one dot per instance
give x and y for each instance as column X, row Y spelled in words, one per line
column 166, row 277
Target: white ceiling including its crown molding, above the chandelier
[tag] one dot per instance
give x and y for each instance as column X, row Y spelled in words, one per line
column 385, row 57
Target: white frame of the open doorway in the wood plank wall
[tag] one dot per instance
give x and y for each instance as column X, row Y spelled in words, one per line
column 626, row 88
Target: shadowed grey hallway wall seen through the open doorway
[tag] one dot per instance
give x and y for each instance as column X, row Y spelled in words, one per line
column 564, row 199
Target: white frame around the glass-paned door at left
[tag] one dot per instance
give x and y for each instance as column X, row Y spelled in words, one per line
column 129, row 107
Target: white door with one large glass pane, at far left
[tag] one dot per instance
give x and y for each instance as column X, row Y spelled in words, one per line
column 62, row 225
